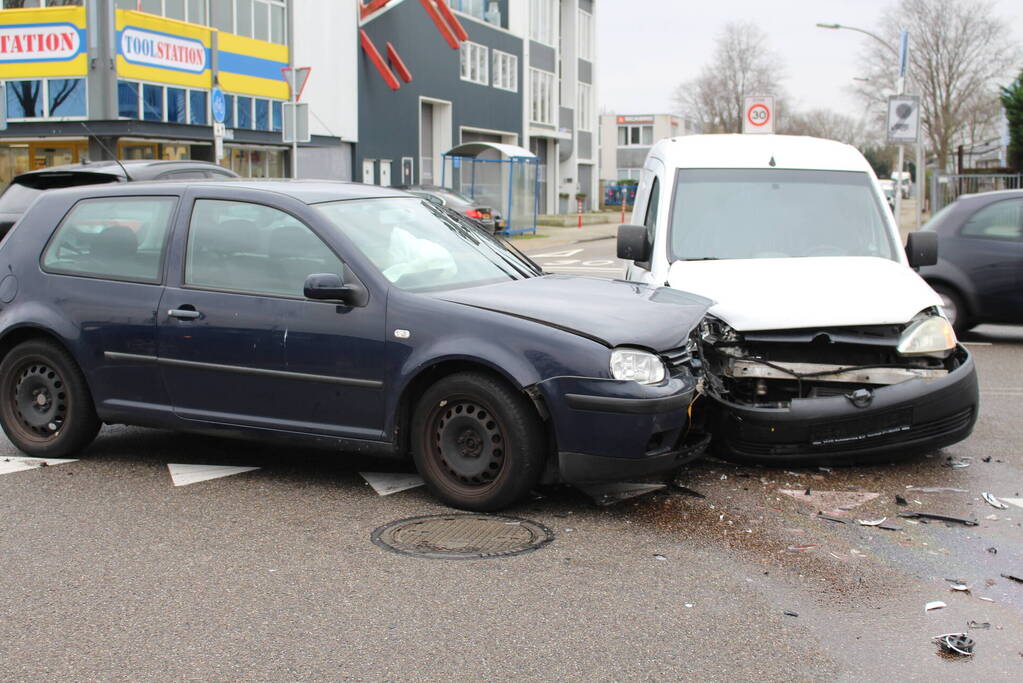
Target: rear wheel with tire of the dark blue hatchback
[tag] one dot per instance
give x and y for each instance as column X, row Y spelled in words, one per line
column 47, row 409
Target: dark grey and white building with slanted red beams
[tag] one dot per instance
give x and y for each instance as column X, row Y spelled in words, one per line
column 508, row 72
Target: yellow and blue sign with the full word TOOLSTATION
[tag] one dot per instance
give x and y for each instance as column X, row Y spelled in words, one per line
column 155, row 49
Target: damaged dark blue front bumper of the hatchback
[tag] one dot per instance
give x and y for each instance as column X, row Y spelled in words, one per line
column 608, row 430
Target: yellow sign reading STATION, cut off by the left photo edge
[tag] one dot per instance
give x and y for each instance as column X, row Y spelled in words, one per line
column 41, row 43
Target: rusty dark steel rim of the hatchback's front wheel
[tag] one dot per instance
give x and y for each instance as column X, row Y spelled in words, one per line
column 467, row 444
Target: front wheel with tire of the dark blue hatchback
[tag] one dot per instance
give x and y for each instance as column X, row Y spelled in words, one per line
column 477, row 442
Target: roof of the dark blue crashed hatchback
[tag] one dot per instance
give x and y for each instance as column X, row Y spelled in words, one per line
column 308, row 192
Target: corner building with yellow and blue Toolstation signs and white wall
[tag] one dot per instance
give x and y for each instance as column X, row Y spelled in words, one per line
column 132, row 79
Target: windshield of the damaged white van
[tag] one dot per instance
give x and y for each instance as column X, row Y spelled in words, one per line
column 777, row 214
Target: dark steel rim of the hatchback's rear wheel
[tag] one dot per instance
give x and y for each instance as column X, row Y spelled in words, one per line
column 39, row 401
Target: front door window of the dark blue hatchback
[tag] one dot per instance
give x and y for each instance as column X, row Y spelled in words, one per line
column 251, row 248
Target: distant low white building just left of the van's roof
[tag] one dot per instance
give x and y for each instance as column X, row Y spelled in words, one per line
column 628, row 139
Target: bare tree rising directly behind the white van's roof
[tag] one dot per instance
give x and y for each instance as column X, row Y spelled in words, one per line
column 743, row 65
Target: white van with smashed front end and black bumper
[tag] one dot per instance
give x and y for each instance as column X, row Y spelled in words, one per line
column 824, row 344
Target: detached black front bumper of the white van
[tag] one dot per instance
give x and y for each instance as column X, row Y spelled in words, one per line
column 913, row 417
